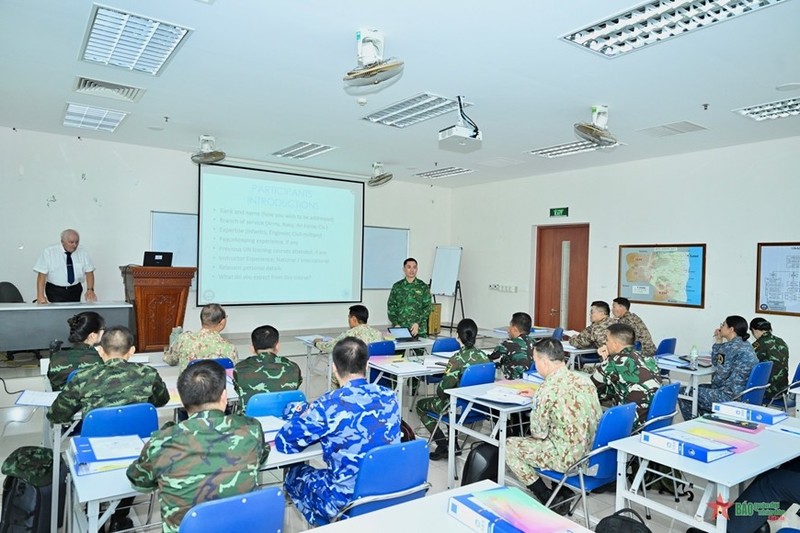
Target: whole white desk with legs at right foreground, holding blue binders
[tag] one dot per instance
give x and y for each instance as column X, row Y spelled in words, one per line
column 773, row 448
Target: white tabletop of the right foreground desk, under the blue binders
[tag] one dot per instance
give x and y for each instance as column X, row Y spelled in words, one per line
column 773, row 449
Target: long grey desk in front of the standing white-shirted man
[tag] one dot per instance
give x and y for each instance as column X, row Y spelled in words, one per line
column 29, row 326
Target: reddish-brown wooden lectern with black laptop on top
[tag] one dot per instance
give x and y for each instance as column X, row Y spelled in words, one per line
column 158, row 295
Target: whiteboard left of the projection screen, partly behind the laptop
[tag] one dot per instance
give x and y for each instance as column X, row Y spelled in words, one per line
column 176, row 233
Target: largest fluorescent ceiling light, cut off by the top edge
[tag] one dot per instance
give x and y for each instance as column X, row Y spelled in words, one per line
column 656, row 21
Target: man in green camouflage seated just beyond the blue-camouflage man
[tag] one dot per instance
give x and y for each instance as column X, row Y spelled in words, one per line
column 265, row 371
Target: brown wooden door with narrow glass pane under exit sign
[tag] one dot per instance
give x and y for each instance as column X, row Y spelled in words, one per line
column 552, row 244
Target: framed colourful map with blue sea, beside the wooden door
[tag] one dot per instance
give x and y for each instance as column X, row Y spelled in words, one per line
column 665, row 274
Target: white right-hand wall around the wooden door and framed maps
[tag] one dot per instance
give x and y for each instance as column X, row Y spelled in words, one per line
column 730, row 199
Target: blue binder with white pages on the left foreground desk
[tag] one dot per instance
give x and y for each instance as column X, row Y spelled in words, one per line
column 99, row 454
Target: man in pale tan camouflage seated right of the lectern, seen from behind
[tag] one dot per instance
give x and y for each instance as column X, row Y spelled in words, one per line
column 204, row 344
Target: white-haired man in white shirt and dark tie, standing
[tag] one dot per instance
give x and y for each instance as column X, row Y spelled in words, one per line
column 62, row 269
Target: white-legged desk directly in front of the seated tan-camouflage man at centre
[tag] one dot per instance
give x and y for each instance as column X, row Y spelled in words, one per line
column 496, row 437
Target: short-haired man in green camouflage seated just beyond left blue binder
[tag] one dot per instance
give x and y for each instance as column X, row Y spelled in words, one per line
column 113, row 382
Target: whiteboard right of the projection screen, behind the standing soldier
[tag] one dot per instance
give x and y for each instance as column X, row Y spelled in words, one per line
column 385, row 249
